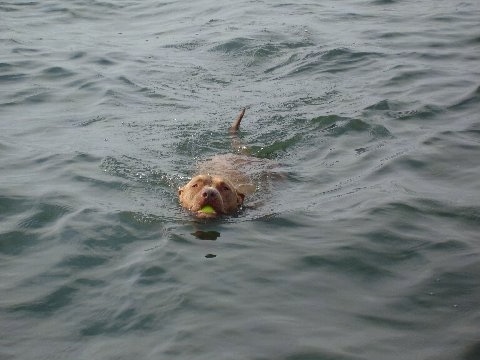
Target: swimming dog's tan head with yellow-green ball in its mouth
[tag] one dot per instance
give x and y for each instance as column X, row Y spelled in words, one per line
column 204, row 193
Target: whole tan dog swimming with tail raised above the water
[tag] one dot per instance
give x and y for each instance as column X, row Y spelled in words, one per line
column 219, row 188
